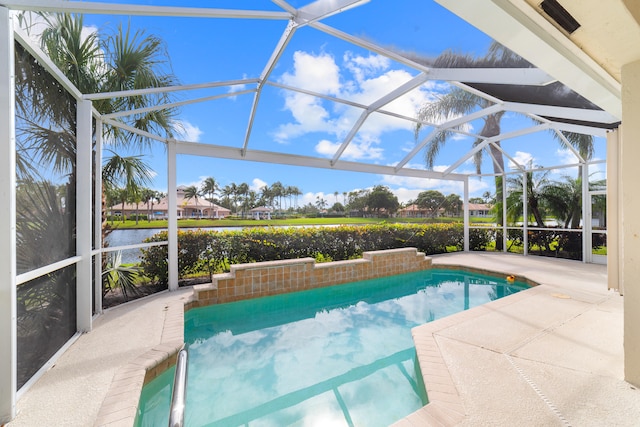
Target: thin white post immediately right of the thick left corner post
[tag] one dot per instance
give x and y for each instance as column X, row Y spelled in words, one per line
column 97, row 208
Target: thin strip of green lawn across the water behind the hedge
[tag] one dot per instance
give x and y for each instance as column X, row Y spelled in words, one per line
column 202, row 223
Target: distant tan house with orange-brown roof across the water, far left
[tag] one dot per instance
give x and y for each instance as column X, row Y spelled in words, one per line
column 187, row 208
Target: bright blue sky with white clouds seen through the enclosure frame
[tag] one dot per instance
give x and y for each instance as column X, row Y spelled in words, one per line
column 208, row 50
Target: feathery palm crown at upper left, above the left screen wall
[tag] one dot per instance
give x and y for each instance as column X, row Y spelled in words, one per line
column 116, row 62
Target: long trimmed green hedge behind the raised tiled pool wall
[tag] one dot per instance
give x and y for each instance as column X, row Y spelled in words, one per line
column 211, row 251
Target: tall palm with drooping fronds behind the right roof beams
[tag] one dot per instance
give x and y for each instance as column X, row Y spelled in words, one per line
column 459, row 102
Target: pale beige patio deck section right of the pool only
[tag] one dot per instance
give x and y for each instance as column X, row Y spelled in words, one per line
column 526, row 359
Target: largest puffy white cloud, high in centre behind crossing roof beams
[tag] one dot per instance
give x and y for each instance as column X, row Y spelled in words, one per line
column 364, row 79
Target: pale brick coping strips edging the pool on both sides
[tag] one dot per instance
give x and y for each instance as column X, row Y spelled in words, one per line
column 445, row 407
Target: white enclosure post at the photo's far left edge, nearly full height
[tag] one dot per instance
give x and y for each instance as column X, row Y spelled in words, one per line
column 8, row 352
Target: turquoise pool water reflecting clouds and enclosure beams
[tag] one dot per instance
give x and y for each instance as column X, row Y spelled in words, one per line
column 335, row 356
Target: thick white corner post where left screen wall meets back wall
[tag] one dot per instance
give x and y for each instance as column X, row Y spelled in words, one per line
column 84, row 190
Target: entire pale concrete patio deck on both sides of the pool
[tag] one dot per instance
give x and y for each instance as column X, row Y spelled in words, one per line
column 550, row 355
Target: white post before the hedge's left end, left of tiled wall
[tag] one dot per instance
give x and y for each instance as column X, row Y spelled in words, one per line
column 172, row 214
